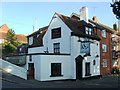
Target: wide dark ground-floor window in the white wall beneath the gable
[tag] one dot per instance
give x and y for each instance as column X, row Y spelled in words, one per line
column 56, row 69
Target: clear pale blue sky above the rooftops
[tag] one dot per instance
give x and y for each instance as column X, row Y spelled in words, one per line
column 21, row 16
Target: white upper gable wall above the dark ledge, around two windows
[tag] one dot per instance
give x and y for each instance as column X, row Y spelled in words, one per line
column 64, row 40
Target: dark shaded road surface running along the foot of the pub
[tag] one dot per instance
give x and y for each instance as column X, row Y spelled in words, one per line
column 11, row 81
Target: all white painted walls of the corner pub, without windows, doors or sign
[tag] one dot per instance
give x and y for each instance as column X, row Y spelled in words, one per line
column 68, row 45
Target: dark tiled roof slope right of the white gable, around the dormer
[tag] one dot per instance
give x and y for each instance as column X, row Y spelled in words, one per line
column 77, row 27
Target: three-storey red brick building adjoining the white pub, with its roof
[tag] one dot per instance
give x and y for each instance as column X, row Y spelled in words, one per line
column 105, row 33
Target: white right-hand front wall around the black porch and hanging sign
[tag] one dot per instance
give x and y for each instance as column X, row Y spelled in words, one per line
column 75, row 51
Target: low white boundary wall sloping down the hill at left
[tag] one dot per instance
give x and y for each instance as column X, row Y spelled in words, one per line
column 15, row 70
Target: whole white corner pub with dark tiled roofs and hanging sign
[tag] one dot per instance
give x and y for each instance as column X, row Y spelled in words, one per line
column 65, row 49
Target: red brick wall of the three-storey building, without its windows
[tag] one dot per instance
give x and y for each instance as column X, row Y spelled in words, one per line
column 105, row 55
